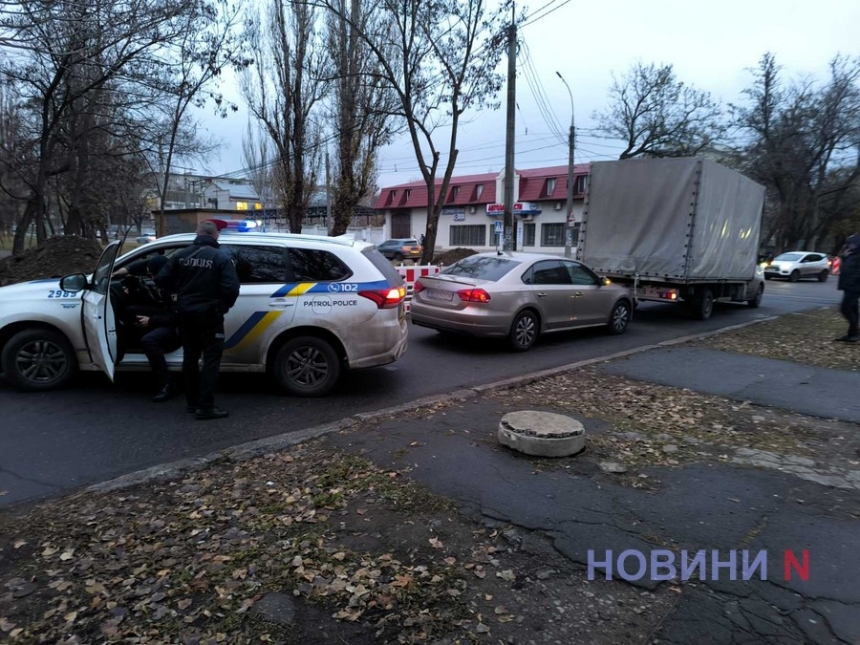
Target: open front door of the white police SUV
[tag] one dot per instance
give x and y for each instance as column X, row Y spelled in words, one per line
column 99, row 319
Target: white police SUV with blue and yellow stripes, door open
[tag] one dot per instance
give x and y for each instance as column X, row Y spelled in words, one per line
column 308, row 308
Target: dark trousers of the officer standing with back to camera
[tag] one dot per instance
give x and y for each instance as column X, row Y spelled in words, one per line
column 201, row 336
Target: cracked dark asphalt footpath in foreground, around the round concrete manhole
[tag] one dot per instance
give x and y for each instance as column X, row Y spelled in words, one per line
column 699, row 506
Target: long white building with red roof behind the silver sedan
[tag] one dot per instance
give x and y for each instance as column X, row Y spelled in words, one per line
column 475, row 203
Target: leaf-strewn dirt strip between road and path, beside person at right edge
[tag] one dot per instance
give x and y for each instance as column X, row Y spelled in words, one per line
column 806, row 337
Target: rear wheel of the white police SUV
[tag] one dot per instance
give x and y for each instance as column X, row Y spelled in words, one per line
column 307, row 366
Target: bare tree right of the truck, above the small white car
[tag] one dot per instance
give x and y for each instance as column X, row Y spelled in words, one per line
column 803, row 144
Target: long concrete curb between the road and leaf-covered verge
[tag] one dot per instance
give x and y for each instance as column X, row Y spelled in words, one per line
column 252, row 449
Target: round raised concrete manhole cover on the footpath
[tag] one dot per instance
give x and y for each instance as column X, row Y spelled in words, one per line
column 541, row 434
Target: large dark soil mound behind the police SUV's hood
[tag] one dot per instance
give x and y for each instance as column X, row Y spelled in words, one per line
column 56, row 257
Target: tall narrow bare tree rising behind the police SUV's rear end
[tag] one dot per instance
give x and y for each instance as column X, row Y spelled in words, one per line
column 362, row 105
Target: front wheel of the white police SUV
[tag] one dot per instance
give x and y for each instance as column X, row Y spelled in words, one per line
column 38, row 360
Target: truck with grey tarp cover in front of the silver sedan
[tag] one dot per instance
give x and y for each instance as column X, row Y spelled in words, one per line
column 674, row 230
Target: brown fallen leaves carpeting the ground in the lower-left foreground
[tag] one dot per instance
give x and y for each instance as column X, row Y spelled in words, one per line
column 191, row 558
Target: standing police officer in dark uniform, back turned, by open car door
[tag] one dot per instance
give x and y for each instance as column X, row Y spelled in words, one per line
column 206, row 286
